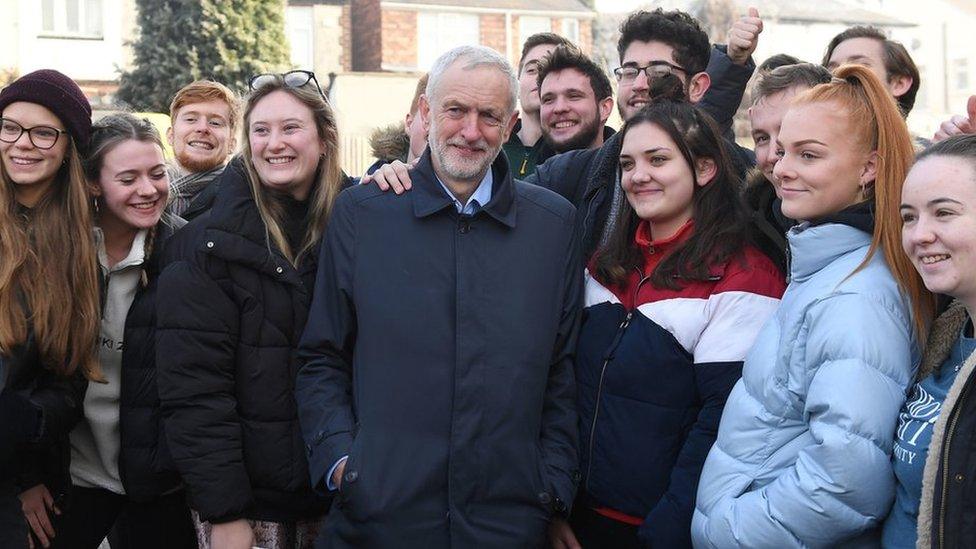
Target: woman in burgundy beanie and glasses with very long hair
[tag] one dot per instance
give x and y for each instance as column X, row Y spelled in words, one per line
column 49, row 297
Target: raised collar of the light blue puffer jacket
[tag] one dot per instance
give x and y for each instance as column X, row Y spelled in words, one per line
column 813, row 247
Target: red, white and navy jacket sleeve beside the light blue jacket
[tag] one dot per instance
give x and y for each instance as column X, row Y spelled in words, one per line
column 735, row 314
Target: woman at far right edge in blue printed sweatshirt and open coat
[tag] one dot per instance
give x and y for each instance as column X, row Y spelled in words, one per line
column 934, row 440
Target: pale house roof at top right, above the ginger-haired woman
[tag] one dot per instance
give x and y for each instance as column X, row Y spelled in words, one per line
column 822, row 11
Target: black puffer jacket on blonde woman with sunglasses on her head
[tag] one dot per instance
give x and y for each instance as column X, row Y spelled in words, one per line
column 230, row 312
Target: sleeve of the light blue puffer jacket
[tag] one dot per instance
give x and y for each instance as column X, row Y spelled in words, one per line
column 859, row 353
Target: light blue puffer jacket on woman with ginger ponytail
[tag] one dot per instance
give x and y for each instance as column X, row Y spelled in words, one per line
column 802, row 457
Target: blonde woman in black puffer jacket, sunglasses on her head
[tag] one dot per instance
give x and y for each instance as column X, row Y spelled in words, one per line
column 234, row 296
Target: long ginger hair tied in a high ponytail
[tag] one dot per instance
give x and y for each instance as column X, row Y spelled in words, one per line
column 874, row 118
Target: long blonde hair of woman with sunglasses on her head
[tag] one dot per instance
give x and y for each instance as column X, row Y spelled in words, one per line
column 325, row 188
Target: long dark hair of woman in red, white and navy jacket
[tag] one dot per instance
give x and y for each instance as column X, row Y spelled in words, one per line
column 720, row 230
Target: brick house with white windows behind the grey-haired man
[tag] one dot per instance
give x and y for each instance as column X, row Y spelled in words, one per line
column 412, row 33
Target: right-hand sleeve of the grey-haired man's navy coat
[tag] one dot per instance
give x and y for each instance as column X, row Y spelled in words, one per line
column 560, row 430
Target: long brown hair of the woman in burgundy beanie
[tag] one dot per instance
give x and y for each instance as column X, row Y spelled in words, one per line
column 49, row 273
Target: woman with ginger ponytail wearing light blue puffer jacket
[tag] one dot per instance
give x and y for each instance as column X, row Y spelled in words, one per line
column 803, row 452
